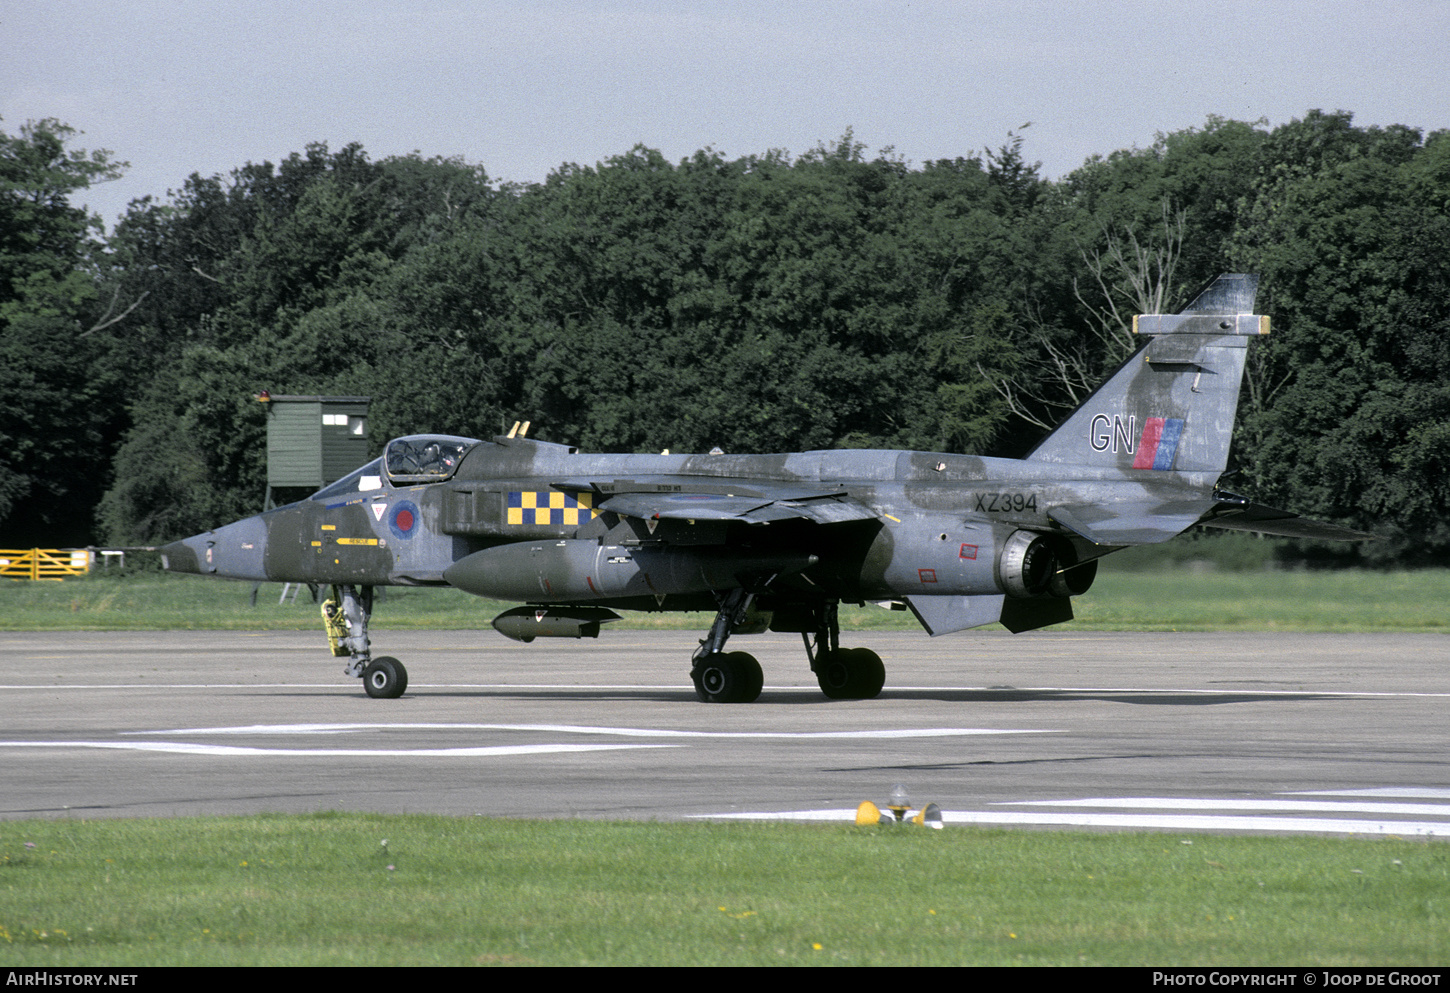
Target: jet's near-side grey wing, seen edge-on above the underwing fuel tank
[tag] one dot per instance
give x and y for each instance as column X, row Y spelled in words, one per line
column 762, row 508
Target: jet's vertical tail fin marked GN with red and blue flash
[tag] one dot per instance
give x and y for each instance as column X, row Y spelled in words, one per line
column 1171, row 407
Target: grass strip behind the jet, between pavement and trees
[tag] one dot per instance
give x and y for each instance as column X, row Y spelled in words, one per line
column 1178, row 599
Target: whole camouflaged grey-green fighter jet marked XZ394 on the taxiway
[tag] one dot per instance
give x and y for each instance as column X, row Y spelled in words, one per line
column 779, row 541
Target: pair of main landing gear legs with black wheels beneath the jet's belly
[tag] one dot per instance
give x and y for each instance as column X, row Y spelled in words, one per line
column 736, row 678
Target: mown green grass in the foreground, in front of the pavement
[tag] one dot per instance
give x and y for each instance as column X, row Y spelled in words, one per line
column 398, row 891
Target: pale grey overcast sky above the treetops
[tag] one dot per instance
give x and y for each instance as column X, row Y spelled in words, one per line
column 205, row 86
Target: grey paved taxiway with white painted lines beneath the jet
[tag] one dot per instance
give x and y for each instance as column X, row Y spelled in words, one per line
column 1180, row 731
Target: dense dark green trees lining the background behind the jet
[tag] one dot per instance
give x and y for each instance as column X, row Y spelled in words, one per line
column 763, row 304
